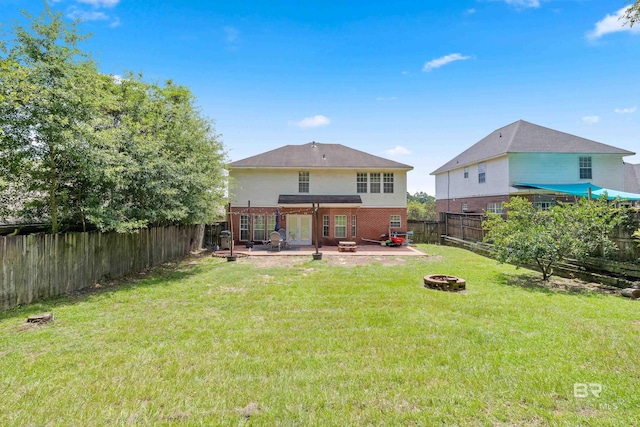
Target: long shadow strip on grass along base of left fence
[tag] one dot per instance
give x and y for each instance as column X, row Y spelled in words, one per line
column 160, row 275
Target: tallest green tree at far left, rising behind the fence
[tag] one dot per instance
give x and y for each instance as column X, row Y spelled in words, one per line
column 46, row 100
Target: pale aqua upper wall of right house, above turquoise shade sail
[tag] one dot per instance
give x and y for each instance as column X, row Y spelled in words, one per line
column 556, row 168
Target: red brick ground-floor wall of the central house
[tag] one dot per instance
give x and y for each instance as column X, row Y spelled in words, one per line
column 370, row 222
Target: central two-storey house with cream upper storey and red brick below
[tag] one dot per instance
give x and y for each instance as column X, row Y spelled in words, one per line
column 357, row 195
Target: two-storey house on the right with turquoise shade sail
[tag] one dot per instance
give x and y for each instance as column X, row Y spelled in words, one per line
column 542, row 164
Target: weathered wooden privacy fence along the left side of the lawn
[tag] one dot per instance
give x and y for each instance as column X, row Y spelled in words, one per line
column 38, row 266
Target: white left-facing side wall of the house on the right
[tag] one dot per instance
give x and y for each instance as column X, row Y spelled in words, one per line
column 453, row 184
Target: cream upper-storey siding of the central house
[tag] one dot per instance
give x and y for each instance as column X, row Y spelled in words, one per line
column 262, row 187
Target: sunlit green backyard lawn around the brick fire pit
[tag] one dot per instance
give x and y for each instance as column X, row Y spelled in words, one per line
column 207, row 342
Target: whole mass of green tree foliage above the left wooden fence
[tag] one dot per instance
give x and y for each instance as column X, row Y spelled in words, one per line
column 78, row 147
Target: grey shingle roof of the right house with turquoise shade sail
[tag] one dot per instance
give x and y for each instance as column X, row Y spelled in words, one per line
column 525, row 137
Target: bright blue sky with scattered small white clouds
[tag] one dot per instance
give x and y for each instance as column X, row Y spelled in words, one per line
column 414, row 81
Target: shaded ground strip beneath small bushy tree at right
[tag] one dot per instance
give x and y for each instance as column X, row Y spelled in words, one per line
column 556, row 285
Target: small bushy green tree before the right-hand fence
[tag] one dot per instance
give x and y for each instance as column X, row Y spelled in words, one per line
column 545, row 238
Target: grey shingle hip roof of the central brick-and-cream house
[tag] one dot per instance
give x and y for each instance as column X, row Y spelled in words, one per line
column 317, row 155
